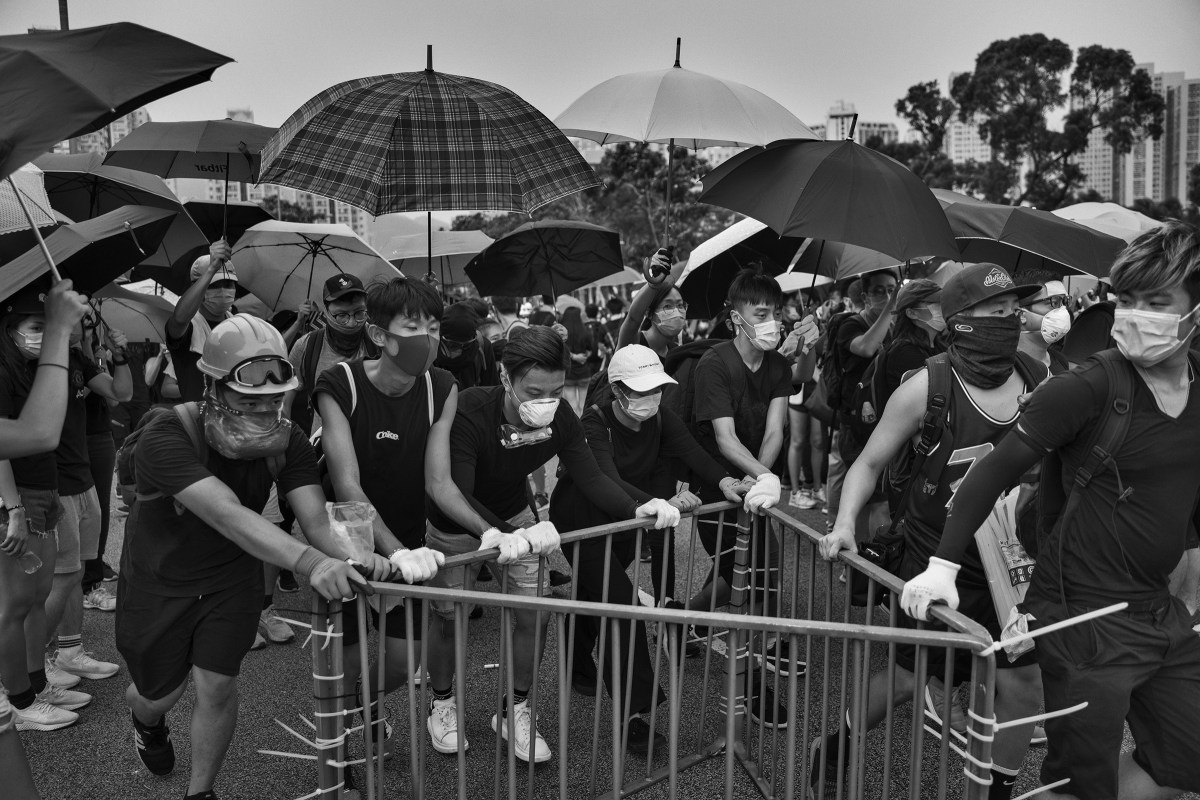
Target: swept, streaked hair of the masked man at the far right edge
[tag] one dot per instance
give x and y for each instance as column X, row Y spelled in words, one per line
column 1161, row 260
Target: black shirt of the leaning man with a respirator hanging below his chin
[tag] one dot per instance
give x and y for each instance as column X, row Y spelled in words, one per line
column 494, row 478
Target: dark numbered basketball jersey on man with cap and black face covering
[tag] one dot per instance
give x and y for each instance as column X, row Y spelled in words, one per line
column 969, row 436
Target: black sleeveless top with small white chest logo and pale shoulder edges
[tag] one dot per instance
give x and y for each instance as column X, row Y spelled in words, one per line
column 389, row 436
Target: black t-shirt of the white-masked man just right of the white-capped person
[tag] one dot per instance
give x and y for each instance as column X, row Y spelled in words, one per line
column 747, row 401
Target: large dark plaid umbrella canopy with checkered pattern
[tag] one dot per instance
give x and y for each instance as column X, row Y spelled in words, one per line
column 425, row 142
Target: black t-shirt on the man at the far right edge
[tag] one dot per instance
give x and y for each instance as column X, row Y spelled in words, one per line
column 1117, row 552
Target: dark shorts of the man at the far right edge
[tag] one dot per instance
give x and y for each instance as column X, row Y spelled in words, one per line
column 1142, row 669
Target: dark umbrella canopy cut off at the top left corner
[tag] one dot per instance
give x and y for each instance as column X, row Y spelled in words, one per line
column 61, row 85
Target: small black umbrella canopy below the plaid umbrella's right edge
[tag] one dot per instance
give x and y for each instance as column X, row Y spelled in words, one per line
column 550, row 258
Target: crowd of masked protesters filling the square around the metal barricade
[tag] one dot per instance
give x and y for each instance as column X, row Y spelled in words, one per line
column 445, row 417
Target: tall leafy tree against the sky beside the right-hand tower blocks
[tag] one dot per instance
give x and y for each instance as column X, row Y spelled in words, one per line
column 1017, row 88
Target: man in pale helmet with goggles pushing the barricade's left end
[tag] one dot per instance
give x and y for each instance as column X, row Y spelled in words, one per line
column 190, row 586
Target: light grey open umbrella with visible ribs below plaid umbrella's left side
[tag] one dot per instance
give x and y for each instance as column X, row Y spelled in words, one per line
column 286, row 263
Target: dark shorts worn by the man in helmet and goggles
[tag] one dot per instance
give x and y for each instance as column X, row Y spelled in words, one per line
column 163, row 639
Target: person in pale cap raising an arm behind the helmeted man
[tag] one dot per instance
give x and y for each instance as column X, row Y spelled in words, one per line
column 207, row 303
